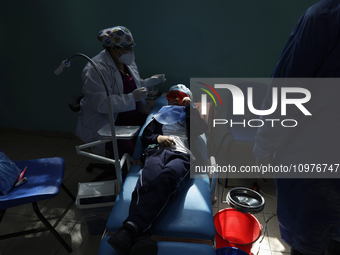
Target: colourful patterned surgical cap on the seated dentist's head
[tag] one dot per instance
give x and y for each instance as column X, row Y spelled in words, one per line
column 116, row 36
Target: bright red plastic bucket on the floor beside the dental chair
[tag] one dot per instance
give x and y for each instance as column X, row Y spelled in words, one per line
column 236, row 229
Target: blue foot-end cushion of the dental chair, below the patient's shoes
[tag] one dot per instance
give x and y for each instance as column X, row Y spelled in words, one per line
column 165, row 248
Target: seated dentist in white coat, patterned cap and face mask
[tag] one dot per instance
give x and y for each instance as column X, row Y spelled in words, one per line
column 128, row 90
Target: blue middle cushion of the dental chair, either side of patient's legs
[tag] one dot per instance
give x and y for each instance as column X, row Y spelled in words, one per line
column 188, row 214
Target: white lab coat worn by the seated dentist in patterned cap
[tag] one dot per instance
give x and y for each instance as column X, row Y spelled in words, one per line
column 94, row 111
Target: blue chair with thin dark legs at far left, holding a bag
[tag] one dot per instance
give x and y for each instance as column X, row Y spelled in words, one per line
column 44, row 179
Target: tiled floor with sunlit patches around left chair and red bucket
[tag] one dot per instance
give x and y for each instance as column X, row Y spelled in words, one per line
column 63, row 214
